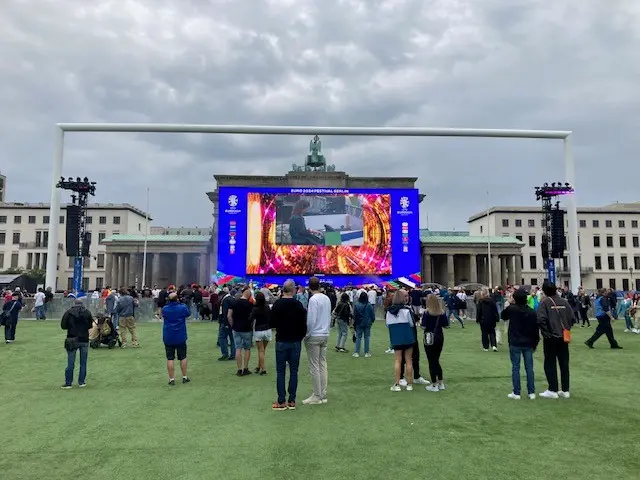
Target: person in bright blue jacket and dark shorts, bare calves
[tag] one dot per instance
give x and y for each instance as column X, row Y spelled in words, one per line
column 174, row 336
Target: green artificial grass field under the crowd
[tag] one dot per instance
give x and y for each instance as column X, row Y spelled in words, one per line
column 128, row 423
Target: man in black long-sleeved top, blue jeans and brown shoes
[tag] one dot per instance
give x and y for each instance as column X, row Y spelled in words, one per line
column 289, row 319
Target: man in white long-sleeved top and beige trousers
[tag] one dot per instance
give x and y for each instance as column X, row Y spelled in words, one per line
column 318, row 325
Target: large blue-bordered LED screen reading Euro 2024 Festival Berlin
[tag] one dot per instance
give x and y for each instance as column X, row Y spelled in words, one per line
column 345, row 236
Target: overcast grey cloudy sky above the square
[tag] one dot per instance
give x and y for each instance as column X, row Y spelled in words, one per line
column 532, row 64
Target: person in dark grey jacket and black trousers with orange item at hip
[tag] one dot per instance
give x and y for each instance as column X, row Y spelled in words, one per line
column 555, row 316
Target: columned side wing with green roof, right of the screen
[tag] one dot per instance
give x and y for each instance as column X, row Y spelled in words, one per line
column 455, row 258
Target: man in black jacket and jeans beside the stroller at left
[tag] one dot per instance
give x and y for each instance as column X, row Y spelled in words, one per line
column 77, row 321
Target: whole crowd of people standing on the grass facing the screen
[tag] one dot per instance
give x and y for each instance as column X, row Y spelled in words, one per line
column 300, row 316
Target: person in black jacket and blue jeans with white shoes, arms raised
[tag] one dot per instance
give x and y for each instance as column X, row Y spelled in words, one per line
column 524, row 336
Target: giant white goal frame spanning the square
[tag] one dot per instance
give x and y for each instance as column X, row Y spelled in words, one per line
column 61, row 128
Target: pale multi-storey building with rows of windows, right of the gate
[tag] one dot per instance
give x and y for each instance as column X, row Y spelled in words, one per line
column 608, row 238
